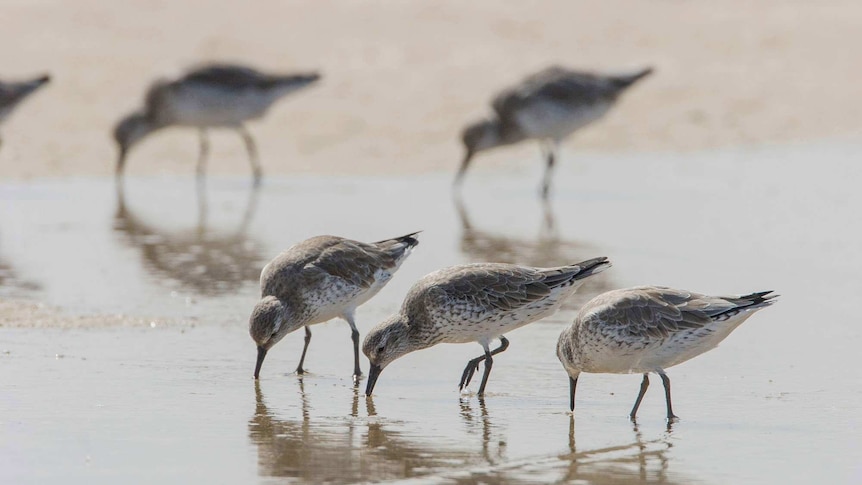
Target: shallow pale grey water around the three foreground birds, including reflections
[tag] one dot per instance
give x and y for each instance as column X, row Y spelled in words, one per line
column 174, row 401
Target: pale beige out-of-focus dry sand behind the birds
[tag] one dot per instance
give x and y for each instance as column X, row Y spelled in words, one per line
column 401, row 78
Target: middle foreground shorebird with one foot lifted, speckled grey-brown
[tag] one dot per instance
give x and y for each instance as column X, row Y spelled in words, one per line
column 472, row 303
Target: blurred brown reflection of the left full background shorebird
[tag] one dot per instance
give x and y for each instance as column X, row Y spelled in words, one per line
column 201, row 260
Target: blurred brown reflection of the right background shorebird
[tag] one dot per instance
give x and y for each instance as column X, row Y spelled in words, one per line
column 548, row 249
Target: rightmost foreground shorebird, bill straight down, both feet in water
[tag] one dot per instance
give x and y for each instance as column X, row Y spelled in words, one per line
column 648, row 329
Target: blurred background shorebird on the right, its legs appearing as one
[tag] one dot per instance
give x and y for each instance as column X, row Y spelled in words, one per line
column 547, row 106
